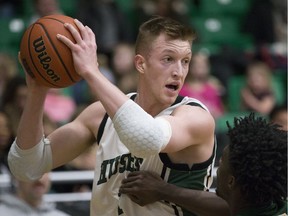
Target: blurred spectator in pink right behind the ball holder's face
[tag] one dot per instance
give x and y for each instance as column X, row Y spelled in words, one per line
column 200, row 84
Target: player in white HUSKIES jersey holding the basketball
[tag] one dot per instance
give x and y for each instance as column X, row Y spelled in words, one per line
column 153, row 129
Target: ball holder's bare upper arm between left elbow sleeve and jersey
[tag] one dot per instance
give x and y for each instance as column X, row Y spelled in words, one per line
column 77, row 136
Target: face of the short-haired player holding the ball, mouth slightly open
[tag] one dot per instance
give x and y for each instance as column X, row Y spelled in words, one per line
column 166, row 66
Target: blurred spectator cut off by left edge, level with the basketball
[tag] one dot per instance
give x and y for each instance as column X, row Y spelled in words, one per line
column 8, row 69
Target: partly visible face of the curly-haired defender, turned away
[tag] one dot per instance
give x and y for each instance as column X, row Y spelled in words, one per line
column 224, row 176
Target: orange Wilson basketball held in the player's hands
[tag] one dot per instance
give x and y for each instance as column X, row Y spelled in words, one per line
column 44, row 57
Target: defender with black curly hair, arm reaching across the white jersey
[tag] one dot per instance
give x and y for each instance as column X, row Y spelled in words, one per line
column 252, row 175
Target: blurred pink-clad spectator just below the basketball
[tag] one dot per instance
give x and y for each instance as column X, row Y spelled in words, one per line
column 59, row 107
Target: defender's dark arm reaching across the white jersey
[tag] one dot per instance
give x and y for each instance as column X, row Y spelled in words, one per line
column 145, row 187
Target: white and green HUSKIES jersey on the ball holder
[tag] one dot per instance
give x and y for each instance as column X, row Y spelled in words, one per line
column 114, row 162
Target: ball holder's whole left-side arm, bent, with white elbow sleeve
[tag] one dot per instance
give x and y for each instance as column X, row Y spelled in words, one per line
column 30, row 157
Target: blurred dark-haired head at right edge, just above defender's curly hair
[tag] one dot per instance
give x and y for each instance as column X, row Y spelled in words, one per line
column 279, row 115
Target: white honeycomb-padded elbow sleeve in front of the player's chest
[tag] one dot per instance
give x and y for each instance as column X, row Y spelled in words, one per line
column 142, row 134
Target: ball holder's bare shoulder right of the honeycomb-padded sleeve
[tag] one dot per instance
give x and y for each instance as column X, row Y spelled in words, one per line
column 192, row 136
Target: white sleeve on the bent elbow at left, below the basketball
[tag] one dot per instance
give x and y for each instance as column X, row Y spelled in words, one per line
column 30, row 164
